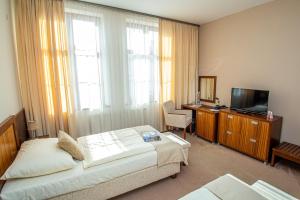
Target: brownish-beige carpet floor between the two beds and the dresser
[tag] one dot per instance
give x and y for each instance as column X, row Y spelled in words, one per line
column 208, row 161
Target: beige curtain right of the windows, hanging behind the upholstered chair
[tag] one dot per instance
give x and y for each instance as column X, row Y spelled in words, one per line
column 178, row 62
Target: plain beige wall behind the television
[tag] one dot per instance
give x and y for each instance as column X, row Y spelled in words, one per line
column 258, row 48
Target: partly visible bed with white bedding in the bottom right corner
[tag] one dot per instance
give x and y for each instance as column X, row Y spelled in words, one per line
column 228, row 187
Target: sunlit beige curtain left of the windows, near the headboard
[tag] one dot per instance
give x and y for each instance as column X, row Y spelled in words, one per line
column 43, row 64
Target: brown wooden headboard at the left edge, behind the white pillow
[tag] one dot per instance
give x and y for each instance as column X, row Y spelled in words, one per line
column 13, row 131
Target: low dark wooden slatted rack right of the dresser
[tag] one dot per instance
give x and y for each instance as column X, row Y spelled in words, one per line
column 286, row 151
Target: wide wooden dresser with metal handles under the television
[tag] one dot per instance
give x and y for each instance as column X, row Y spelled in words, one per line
column 253, row 135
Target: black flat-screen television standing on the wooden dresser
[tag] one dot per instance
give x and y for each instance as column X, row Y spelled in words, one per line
column 249, row 101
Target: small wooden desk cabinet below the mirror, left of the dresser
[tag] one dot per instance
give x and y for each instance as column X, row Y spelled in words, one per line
column 206, row 123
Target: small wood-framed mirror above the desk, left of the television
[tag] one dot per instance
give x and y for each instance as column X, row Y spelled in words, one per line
column 207, row 88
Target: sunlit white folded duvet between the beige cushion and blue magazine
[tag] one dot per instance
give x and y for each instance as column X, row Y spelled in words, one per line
column 108, row 146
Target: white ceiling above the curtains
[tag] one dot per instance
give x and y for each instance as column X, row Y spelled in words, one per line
column 193, row 11
